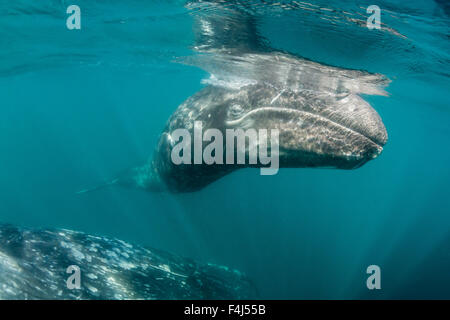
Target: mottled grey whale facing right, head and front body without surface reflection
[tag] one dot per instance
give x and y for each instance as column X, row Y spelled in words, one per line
column 314, row 130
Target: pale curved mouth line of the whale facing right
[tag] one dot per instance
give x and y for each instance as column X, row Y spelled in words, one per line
column 301, row 112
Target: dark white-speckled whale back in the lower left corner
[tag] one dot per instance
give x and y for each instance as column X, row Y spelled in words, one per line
column 33, row 265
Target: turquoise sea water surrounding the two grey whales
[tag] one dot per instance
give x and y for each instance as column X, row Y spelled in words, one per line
column 78, row 107
